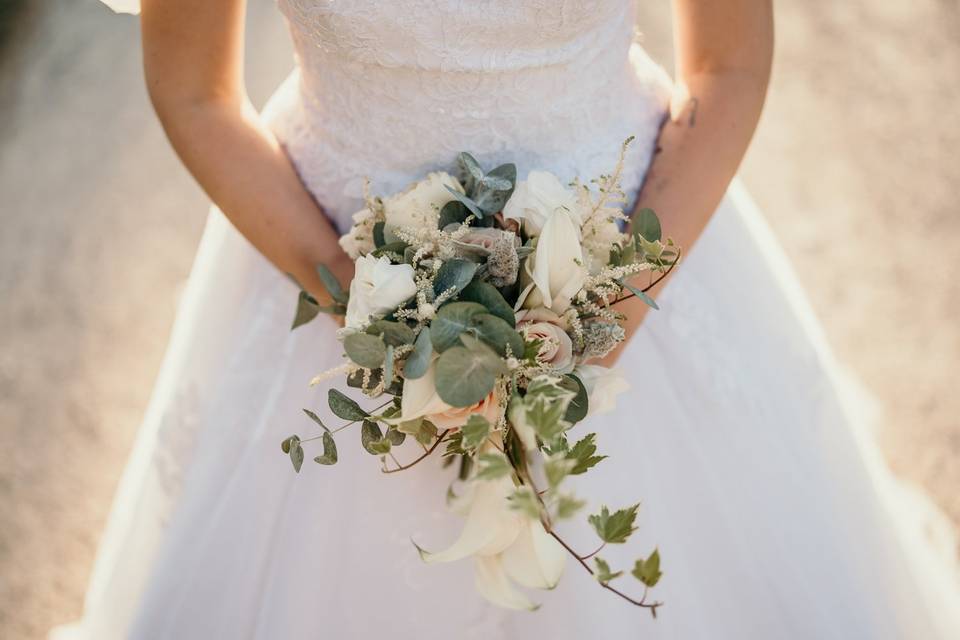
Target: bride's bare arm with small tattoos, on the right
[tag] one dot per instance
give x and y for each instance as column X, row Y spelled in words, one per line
column 724, row 52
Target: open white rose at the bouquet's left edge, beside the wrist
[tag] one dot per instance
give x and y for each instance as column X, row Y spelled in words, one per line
column 378, row 287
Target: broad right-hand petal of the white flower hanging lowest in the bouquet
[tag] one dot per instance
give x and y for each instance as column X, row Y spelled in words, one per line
column 535, row 560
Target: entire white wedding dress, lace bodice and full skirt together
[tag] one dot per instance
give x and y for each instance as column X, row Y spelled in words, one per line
column 773, row 511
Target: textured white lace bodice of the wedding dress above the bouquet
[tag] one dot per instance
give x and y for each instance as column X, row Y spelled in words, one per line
column 391, row 90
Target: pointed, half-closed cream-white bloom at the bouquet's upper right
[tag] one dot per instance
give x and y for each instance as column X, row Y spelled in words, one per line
column 555, row 271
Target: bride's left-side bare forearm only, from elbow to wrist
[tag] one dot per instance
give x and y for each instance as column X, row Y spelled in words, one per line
column 241, row 166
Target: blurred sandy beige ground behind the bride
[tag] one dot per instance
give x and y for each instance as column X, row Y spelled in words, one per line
column 856, row 165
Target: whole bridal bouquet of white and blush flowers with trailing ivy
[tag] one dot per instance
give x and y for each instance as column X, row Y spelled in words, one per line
column 476, row 306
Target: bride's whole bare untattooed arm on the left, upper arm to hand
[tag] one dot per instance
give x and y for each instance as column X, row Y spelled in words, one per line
column 193, row 59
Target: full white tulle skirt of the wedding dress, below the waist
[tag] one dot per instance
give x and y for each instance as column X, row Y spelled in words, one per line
column 760, row 482
